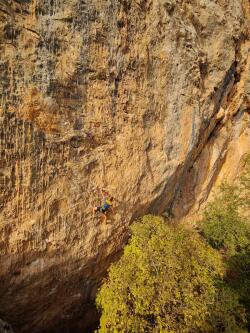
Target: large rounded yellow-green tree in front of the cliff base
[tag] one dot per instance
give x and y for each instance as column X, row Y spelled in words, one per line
column 164, row 282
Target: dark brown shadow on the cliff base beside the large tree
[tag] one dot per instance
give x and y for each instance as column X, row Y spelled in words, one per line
column 59, row 299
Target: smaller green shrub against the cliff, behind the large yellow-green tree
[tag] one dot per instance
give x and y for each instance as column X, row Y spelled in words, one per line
column 225, row 222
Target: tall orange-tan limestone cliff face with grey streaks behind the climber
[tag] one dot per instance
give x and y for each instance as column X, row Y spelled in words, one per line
column 146, row 98
